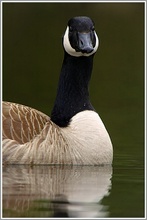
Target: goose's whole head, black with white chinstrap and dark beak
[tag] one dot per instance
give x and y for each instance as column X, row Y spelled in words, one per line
column 80, row 38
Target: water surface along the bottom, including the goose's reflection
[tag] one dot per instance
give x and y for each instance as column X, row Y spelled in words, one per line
column 74, row 191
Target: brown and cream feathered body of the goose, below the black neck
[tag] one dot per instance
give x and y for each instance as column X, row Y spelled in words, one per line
column 78, row 143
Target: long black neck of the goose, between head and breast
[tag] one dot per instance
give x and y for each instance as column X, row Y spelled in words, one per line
column 72, row 95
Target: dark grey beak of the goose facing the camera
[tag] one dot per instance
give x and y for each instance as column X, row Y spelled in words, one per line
column 84, row 43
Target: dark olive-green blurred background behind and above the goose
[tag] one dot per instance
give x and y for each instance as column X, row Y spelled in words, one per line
column 33, row 54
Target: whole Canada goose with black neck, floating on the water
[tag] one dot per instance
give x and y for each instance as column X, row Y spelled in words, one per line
column 74, row 134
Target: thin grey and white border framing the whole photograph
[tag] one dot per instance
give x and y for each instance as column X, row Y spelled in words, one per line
column 145, row 95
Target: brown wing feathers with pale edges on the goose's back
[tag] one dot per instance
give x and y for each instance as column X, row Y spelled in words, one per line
column 22, row 123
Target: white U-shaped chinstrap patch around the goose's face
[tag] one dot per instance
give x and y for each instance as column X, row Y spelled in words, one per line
column 70, row 50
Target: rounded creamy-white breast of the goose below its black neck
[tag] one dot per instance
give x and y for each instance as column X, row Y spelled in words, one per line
column 89, row 139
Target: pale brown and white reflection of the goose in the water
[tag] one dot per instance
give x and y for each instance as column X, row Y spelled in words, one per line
column 55, row 191
